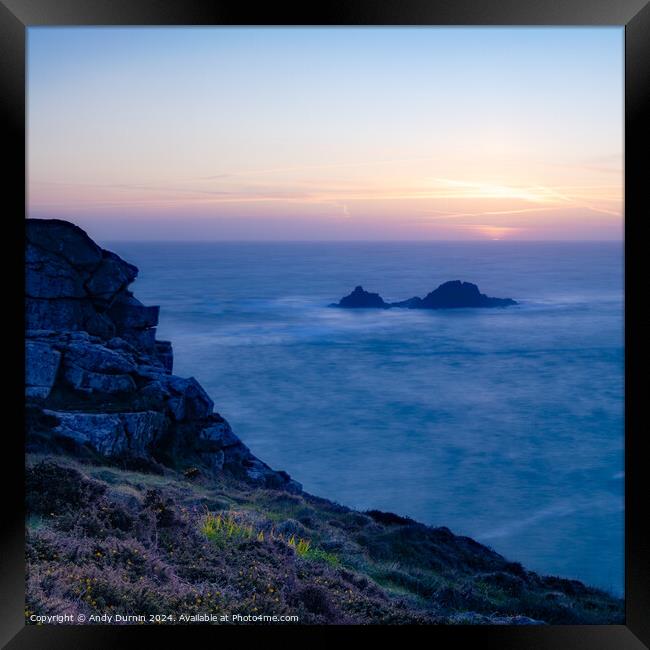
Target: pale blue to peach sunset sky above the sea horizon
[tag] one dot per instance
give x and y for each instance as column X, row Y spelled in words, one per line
column 417, row 133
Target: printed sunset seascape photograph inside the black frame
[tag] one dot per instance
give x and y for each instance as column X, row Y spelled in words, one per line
column 324, row 326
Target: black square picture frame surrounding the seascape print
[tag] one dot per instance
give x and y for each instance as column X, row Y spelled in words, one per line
column 17, row 15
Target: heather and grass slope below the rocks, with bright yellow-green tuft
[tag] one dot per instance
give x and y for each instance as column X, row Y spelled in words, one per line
column 105, row 540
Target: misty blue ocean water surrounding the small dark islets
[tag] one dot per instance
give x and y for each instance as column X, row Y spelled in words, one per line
column 505, row 425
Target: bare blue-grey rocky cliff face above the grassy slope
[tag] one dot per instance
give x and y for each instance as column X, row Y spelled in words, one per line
column 97, row 379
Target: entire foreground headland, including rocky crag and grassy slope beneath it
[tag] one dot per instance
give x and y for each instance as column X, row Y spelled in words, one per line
column 143, row 503
